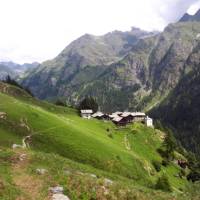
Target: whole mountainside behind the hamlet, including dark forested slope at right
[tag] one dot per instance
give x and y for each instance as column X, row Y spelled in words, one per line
column 132, row 71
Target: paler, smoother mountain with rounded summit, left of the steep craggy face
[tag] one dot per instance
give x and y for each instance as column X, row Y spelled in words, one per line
column 83, row 61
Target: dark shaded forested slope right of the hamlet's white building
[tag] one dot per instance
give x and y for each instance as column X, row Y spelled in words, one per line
column 181, row 111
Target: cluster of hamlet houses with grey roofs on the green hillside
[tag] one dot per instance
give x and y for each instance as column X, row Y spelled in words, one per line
column 119, row 118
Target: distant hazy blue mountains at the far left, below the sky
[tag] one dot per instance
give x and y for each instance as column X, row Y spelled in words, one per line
column 15, row 70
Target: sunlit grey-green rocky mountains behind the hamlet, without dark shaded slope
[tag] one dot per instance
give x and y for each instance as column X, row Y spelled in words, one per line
column 123, row 70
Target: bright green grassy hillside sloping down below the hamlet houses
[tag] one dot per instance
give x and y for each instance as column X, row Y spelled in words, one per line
column 60, row 139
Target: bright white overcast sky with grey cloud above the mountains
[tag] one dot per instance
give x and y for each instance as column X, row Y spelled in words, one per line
column 38, row 30
